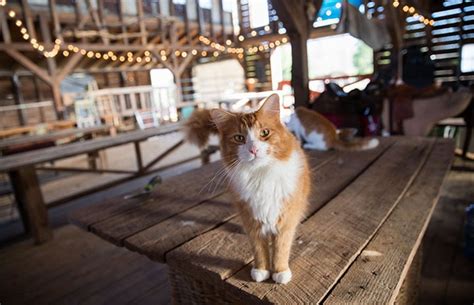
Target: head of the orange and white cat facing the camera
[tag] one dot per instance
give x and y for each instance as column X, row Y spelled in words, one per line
column 256, row 138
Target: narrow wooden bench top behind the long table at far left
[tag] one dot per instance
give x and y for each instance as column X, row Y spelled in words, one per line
column 25, row 143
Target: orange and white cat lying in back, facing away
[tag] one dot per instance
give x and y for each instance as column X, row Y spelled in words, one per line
column 317, row 132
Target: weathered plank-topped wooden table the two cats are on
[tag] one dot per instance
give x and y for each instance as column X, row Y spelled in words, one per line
column 368, row 213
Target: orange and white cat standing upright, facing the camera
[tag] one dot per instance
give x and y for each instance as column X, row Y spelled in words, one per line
column 270, row 177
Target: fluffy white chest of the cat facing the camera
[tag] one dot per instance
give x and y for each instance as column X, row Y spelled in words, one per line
column 266, row 189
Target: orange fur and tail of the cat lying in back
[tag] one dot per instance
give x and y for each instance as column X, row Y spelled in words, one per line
column 313, row 121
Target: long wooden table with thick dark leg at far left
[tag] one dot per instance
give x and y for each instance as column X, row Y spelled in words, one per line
column 22, row 167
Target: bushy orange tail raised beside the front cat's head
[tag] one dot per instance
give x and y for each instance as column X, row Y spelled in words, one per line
column 199, row 127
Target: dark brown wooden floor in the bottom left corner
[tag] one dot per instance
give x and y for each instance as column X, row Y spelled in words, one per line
column 79, row 268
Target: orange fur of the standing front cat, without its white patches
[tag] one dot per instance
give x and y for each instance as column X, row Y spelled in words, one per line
column 271, row 251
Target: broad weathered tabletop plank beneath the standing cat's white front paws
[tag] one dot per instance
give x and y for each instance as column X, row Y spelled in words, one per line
column 329, row 241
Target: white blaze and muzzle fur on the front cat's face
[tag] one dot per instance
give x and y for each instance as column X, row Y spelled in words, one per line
column 263, row 155
